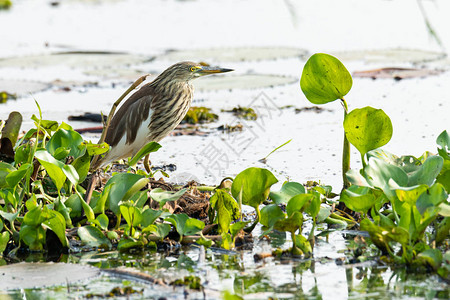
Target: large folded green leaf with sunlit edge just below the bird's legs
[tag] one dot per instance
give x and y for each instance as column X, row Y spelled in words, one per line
column 123, row 186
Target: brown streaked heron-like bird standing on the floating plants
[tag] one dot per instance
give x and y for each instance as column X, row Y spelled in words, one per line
column 153, row 111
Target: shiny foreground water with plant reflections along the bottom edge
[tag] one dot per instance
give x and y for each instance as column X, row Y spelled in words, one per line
column 237, row 272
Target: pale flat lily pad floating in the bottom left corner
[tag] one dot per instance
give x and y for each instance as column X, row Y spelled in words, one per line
column 35, row 275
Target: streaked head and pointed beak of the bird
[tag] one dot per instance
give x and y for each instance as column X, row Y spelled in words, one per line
column 186, row 71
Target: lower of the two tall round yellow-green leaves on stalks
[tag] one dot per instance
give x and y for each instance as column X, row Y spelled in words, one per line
column 367, row 128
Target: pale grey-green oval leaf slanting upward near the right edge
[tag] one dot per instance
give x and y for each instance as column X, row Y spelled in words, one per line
column 427, row 172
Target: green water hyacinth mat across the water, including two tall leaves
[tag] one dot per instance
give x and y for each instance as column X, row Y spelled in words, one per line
column 396, row 206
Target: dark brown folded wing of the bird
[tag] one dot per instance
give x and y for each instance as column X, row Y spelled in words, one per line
column 130, row 116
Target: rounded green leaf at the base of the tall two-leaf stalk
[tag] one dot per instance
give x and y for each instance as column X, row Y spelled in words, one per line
column 358, row 198
